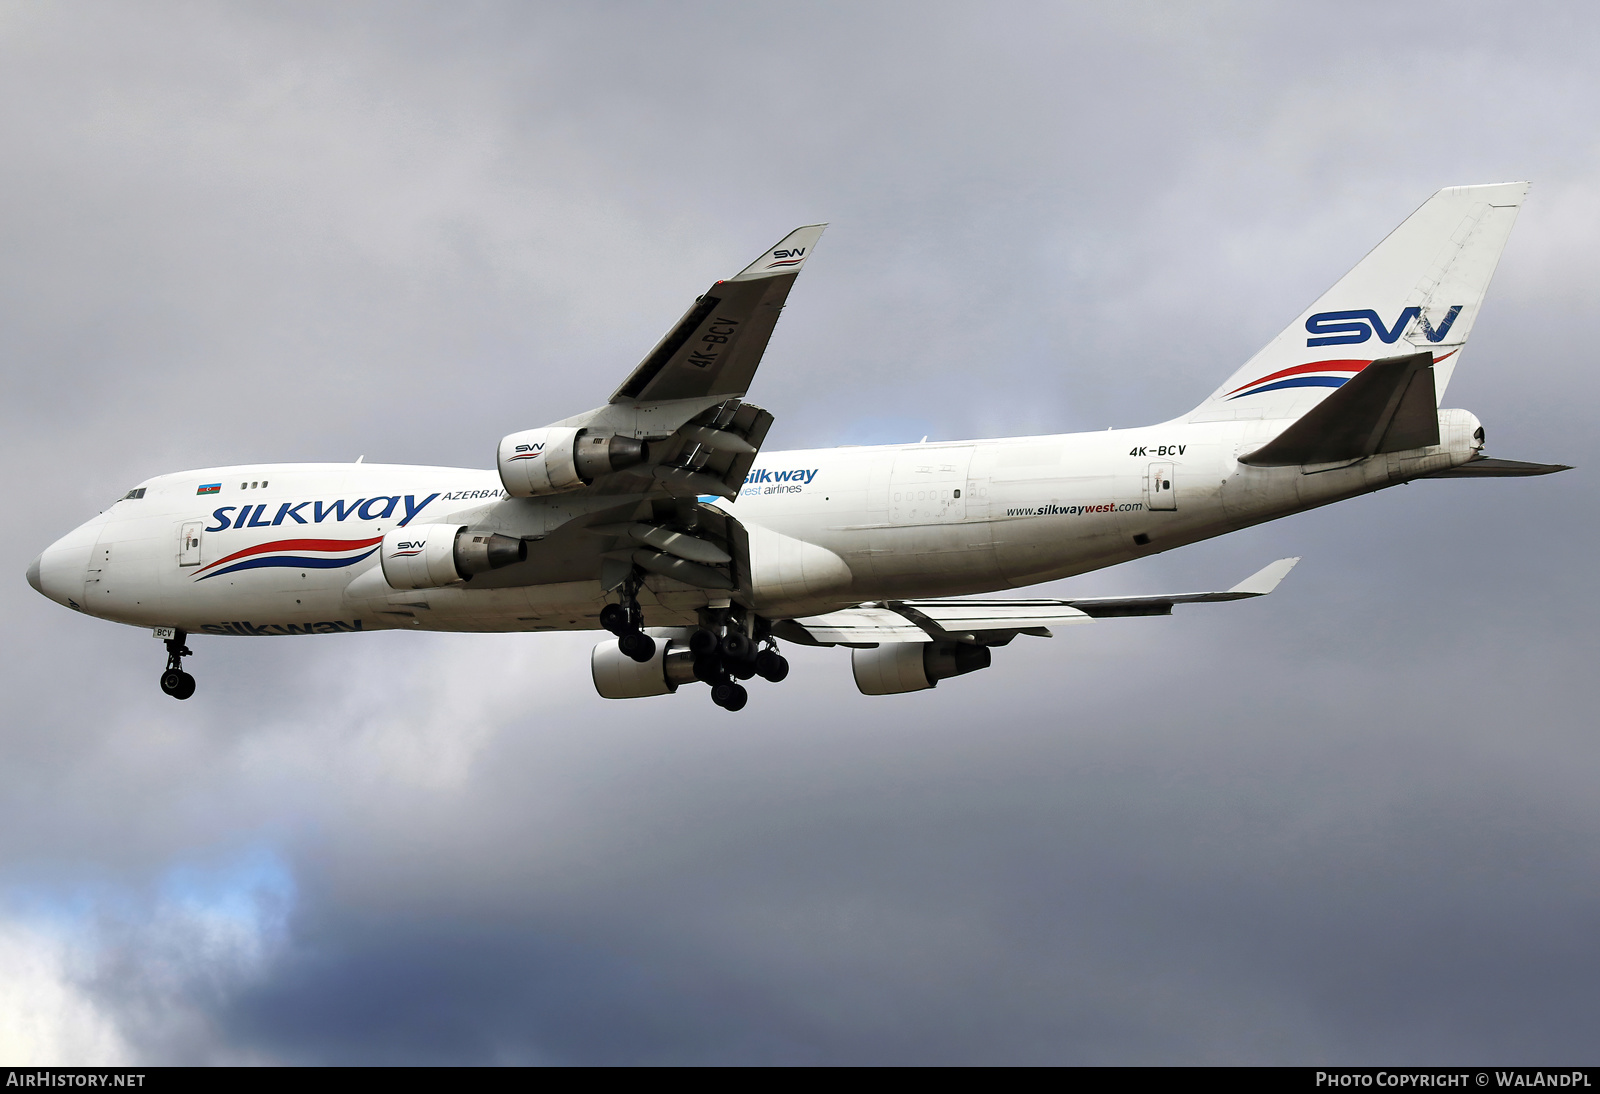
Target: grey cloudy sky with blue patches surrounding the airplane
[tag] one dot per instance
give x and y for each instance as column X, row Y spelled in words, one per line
column 1351, row 823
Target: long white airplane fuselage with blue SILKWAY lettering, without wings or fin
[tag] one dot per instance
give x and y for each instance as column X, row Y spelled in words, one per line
column 906, row 521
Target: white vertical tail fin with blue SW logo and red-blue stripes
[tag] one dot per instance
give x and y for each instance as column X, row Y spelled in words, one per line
column 1415, row 293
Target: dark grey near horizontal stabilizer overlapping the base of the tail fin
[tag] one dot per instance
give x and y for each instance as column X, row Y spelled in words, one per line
column 1388, row 407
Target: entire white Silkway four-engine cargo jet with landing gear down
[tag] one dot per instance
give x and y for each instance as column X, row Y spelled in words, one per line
column 660, row 519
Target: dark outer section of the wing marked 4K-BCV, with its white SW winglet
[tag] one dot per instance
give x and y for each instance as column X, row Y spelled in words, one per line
column 718, row 345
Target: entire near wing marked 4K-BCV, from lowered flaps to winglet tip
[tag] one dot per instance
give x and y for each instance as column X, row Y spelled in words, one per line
column 686, row 404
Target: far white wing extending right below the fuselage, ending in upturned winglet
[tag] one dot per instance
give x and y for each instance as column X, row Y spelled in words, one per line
column 994, row 623
